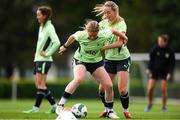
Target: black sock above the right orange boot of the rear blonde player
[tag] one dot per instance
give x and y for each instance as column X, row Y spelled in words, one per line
column 125, row 101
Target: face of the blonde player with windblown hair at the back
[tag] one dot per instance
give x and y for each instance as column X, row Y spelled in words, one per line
column 109, row 13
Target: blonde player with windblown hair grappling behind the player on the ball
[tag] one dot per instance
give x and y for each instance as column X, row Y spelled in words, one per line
column 117, row 60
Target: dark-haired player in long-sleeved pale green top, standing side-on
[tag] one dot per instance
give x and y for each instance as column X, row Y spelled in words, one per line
column 47, row 44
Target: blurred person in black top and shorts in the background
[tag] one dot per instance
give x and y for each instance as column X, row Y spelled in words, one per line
column 160, row 67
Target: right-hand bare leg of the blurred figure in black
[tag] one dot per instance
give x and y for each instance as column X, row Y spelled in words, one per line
column 164, row 94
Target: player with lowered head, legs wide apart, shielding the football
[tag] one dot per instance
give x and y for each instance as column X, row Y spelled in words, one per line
column 88, row 57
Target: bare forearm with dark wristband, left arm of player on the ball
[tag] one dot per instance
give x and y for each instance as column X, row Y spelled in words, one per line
column 69, row 41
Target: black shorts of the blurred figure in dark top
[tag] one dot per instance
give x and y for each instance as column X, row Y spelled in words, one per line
column 159, row 75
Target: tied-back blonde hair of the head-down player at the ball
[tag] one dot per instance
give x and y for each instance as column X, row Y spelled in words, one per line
column 91, row 25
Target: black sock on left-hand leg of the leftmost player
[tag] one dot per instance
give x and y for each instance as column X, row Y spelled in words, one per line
column 40, row 94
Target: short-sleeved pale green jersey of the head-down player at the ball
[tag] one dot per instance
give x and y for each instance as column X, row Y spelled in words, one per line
column 90, row 50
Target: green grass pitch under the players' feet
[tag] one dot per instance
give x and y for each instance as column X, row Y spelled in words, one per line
column 12, row 110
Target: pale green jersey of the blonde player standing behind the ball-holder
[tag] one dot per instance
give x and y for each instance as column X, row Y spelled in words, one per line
column 115, row 53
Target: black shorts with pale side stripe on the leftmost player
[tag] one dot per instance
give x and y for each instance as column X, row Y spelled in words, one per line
column 41, row 67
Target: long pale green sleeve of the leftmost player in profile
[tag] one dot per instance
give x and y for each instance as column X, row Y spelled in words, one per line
column 55, row 43
